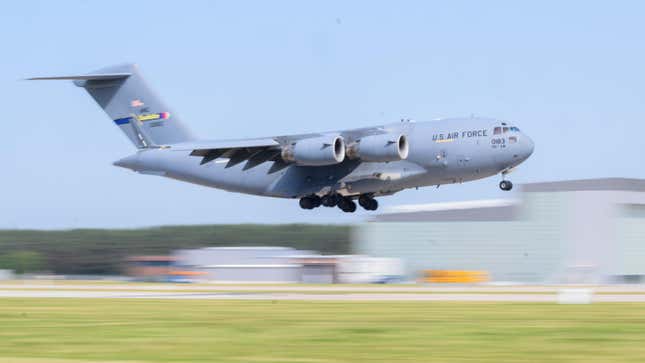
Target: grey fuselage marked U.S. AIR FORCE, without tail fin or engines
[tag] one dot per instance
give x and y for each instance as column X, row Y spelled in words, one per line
column 440, row 152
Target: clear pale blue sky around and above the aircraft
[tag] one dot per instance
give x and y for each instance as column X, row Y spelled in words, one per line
column 570, row 74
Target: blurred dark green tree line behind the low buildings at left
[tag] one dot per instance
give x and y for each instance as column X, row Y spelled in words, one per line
column 103, row 251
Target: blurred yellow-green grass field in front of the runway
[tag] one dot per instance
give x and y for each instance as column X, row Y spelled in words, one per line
column 97, row 330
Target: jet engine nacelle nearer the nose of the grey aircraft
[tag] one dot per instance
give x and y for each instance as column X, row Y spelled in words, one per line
column 380, row 148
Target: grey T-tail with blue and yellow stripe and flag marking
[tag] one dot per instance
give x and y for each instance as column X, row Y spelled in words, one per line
column 124, row 95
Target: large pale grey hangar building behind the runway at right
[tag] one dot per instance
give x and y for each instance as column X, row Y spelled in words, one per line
column 577, row 231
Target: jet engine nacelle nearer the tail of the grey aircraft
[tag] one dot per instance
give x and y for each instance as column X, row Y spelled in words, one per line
column 325, row 150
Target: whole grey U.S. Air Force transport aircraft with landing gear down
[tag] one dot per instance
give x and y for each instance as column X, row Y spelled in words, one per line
column 329, row 169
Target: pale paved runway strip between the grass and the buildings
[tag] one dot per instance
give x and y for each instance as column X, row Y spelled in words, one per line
column 323, row 293
